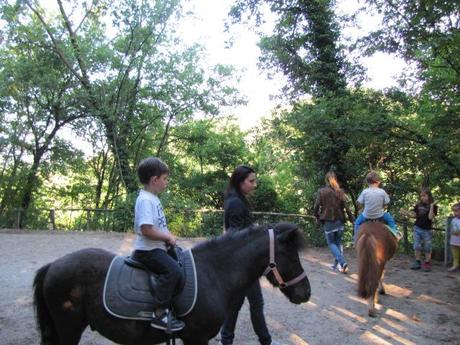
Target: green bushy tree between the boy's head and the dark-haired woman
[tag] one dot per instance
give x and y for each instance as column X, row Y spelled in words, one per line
column 209, row 150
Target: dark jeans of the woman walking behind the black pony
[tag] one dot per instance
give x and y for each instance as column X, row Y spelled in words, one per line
column 256, row 308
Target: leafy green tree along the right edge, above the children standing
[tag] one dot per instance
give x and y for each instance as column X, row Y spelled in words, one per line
column 426, row 33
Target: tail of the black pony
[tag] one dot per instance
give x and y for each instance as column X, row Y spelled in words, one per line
column 45, row 322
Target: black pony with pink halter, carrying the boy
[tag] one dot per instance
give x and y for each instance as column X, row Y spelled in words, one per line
column 68, row 291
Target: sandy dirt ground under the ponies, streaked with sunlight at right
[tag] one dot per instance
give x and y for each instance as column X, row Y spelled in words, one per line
column 420, row 308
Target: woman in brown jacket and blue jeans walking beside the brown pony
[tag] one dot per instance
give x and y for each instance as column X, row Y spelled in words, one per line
column 329, row 209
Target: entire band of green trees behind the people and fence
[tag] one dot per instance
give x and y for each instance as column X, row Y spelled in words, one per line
column 135, row 91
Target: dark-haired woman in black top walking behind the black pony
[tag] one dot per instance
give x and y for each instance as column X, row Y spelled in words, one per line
column 237, row 216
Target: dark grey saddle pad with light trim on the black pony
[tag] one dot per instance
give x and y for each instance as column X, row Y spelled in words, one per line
column 127, row 293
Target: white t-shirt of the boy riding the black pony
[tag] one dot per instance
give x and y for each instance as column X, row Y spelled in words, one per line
column 148, row 210
